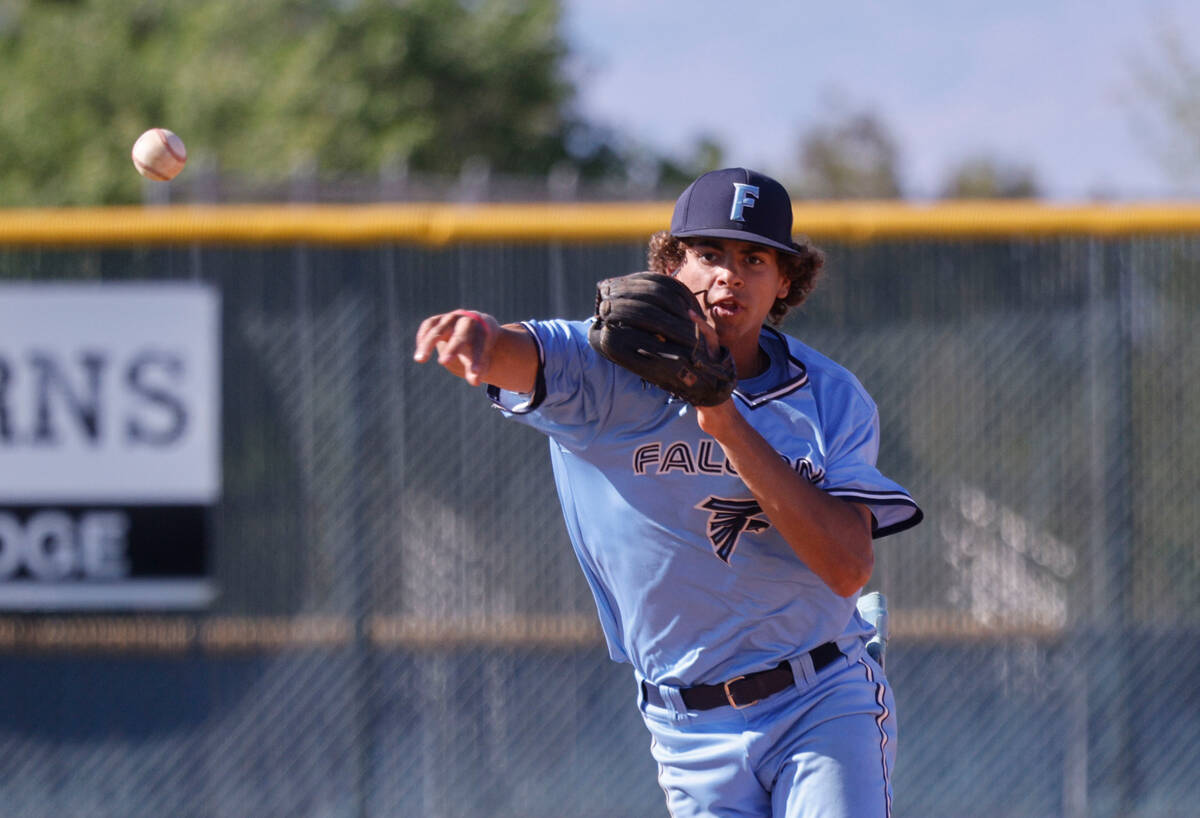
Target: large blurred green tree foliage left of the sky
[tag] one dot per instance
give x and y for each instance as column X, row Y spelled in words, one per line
column 263, row 88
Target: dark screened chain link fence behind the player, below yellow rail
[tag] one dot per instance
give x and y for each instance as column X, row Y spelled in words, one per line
column 403, row 629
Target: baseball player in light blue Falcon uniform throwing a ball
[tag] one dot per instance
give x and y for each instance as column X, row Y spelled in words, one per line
column 725, row 544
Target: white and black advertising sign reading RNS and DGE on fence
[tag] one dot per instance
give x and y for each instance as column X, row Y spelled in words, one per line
column 110, row 444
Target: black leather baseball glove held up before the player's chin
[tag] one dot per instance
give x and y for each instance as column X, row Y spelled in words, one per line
column 643, row 326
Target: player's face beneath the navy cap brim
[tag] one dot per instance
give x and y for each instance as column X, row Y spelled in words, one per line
column 740, row 282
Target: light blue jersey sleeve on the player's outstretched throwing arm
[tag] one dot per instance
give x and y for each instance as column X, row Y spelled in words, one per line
column 572, row 396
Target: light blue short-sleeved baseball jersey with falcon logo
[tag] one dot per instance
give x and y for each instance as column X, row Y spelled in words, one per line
column 692, row 582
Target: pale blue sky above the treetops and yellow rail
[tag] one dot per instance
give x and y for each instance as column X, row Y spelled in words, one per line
column 1041, row 83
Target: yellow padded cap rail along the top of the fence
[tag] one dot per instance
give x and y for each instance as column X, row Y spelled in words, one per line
column 437, row 225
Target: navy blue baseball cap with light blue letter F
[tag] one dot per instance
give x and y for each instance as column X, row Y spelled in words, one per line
column 736, row 203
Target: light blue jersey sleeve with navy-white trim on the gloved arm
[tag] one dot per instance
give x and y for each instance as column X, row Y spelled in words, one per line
column 853, row 448
